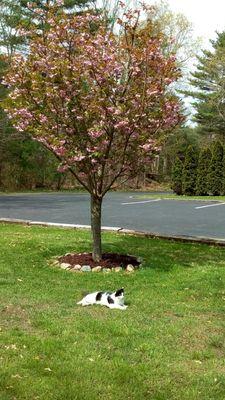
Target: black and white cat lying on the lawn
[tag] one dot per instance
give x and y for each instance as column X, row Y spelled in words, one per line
column 108, row 299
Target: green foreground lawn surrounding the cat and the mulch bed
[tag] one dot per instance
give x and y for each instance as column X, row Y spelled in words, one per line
column 169, row 344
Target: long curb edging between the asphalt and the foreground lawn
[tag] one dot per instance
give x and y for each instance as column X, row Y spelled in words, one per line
column 179, row 238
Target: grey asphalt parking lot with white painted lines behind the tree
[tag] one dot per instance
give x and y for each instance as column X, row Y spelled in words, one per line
column 126, row 210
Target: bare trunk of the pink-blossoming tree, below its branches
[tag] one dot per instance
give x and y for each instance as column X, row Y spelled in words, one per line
column 96, row 211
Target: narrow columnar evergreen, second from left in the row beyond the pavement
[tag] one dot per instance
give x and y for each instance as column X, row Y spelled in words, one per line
column 189, row 171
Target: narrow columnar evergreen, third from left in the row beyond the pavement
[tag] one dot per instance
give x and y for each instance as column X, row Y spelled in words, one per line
column 203, row 171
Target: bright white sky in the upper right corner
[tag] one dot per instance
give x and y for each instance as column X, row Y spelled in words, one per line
column 207, row 17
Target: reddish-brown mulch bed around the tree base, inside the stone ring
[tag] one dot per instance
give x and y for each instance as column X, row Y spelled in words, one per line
column 109, row 260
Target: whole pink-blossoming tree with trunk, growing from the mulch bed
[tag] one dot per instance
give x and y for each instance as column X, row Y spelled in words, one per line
column 98, row 100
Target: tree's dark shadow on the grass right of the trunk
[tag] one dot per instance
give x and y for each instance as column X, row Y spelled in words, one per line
column 165, row 254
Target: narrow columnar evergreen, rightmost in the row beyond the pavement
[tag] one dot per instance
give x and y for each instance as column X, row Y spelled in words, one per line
column 215, row 176
